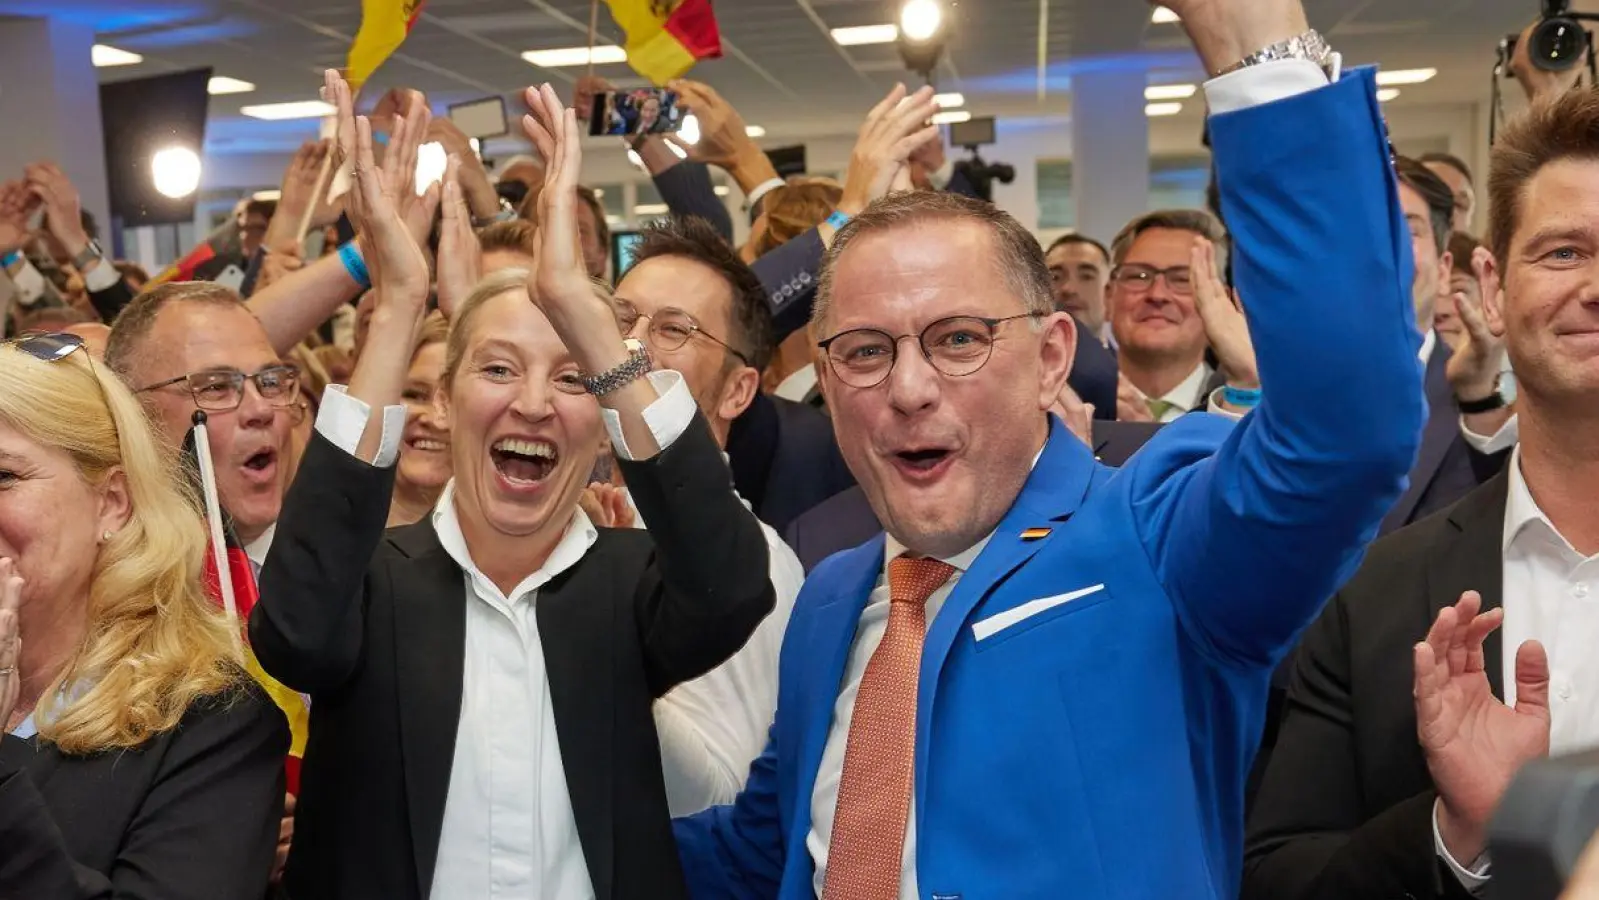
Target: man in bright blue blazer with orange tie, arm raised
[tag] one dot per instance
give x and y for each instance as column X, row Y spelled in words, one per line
column 1048, row 680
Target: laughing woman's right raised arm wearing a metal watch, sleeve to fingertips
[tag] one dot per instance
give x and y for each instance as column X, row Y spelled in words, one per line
column 709, row 586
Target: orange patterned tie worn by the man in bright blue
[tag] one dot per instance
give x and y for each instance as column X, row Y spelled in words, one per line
column 880, row 759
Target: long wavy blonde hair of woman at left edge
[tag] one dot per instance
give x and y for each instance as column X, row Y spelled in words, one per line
column 156, row 643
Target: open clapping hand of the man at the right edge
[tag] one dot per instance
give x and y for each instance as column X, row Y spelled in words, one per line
column 1473, row 743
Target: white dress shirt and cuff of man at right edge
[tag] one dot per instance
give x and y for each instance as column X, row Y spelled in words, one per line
column 1552, row 595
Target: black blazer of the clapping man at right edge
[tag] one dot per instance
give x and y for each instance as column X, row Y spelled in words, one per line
column 1346, row 810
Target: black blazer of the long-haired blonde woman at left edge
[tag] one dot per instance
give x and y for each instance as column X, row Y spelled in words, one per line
column 193, row 814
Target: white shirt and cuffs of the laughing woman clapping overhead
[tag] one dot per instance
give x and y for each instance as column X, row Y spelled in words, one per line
column 509, row 827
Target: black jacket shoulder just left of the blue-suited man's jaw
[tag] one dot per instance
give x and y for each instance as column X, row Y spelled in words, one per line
column 784, row 460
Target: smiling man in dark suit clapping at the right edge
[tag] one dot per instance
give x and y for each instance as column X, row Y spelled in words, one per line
column 1395, row 754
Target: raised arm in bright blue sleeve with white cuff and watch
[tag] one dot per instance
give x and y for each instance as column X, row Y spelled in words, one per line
column 1323, row 263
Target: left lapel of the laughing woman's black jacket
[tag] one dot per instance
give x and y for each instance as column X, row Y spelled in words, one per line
column 431, row 639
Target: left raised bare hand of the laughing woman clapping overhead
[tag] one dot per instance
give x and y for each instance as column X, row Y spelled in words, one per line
column 394, row 260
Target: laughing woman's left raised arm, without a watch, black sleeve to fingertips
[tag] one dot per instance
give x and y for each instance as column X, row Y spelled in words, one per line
column 308, row 627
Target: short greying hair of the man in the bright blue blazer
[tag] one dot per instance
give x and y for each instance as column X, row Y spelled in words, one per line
column 1018, row 257
